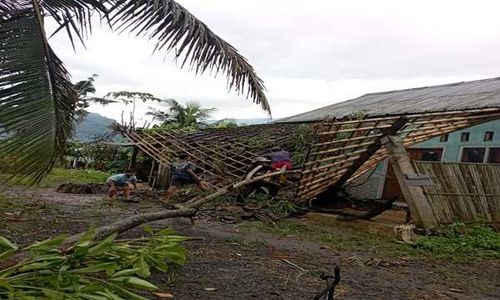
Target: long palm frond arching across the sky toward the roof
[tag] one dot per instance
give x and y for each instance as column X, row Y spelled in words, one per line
column 172, row 25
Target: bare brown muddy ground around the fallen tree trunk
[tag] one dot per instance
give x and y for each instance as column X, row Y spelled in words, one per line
column 241, row 261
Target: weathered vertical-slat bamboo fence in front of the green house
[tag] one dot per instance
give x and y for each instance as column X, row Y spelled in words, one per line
column 463, row 191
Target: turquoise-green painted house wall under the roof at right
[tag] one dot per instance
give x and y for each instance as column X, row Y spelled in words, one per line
column 476, row 139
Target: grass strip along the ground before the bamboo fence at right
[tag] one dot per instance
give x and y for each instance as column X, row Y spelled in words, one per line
column 457, row 242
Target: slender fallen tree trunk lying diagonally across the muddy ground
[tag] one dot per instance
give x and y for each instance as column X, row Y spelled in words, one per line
column 189, row 209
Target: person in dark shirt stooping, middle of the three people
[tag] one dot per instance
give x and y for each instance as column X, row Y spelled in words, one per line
column 183, row 174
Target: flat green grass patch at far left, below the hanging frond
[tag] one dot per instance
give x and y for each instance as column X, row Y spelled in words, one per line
column 60, row 175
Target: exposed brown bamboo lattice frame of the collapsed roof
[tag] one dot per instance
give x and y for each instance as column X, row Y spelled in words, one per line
column 342, row 149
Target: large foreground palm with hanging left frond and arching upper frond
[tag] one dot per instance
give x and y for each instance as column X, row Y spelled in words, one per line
column 37, row 99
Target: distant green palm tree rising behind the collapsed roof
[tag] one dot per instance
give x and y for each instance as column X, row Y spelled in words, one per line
column 182, row 116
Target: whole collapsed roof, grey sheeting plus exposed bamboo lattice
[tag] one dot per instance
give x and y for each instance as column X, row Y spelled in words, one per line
column 341, row 146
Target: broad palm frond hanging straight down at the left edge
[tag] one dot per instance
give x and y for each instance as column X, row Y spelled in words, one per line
column 36, row 97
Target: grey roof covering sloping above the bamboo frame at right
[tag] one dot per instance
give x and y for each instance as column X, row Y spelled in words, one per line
column 447, row 97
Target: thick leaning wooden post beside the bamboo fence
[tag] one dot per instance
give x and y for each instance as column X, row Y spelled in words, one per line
column 414, row 194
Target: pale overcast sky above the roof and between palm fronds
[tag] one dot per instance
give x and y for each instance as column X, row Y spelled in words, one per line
column 309, row 53
